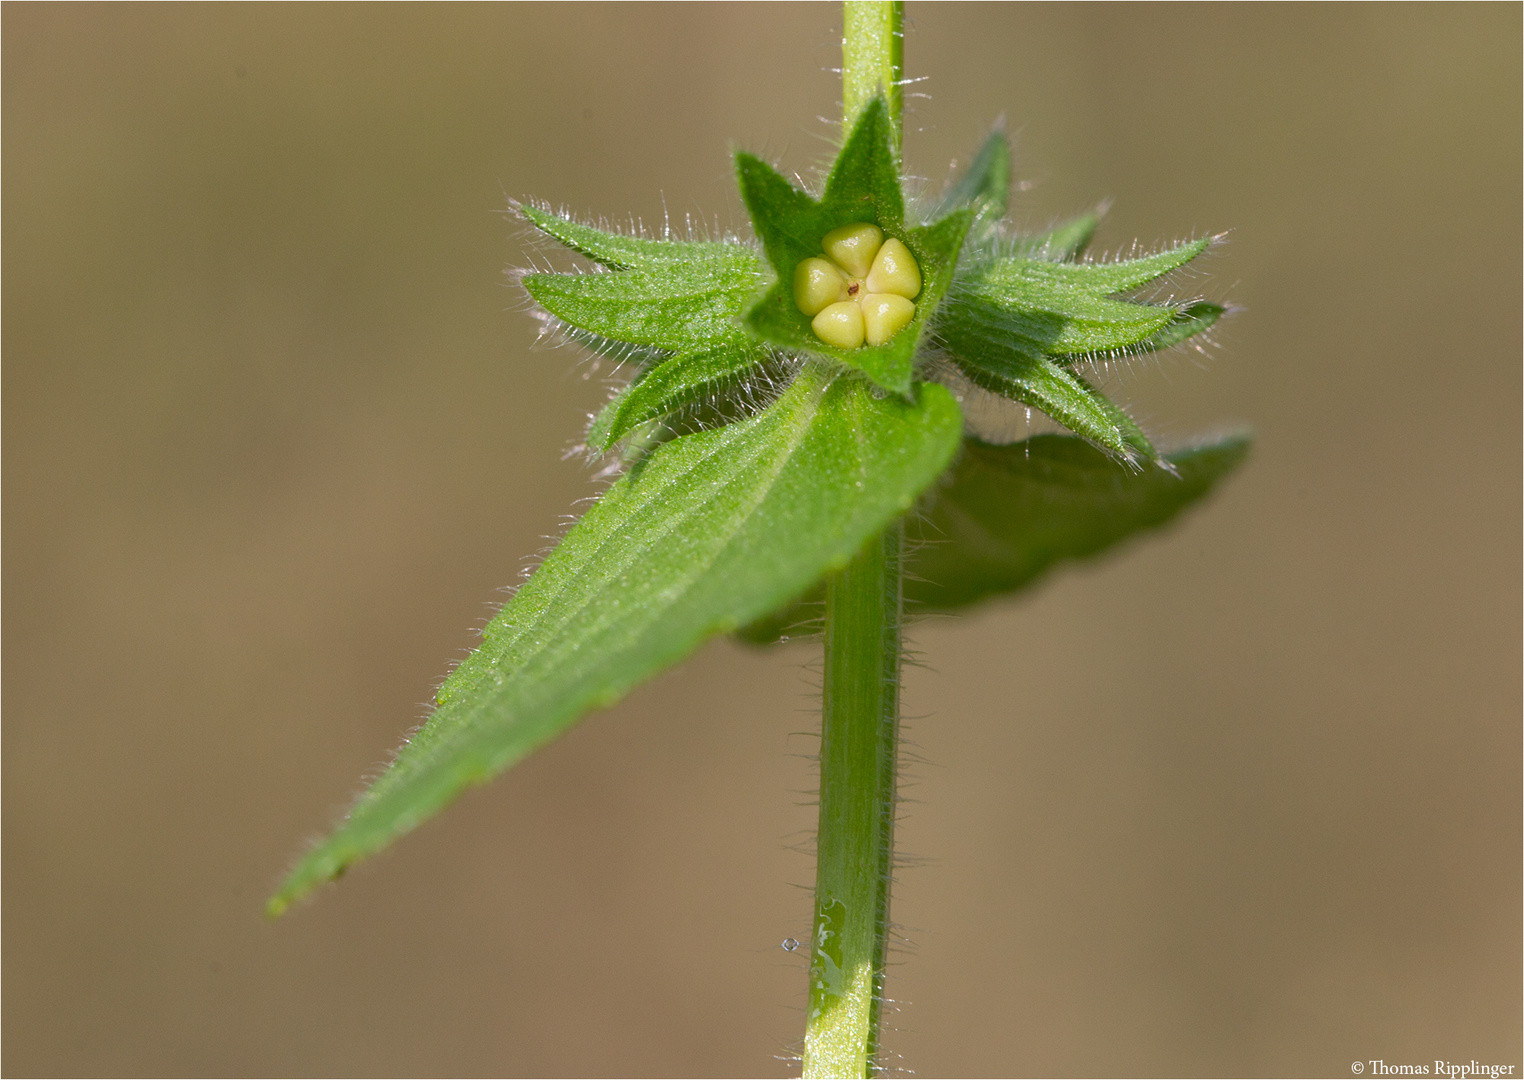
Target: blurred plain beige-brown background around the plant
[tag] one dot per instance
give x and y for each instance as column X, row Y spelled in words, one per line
column 1243, row 800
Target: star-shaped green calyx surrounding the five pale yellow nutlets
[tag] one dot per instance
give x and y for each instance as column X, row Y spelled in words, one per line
column 863, row 187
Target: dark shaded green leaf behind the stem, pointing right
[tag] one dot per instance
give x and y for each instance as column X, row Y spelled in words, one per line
column 1008, row 516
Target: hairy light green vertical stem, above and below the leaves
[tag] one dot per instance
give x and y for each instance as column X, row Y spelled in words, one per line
column 860, row 727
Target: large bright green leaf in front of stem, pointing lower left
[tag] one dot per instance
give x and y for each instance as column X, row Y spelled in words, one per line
column 716, row 529
